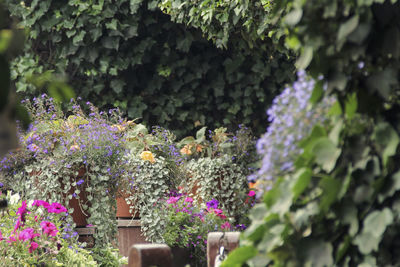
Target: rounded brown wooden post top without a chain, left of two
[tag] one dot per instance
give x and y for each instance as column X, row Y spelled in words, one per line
column 145, row 255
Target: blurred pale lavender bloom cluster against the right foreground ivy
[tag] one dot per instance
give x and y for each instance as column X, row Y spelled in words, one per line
column 291, row 119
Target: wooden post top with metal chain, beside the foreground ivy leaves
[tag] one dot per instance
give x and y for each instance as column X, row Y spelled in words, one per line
column 215, row 240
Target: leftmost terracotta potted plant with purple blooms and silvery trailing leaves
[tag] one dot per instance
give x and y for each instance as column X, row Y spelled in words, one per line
column 74, row 159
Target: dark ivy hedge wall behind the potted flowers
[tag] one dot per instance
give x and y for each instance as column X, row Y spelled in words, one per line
column 129, row 54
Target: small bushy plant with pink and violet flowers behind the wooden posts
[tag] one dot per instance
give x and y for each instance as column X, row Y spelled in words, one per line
column 188, row 225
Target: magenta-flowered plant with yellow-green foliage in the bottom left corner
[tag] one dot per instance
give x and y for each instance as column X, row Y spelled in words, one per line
column 36, row 232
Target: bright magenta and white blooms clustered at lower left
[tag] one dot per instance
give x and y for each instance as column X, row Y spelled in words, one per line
column 32, row 232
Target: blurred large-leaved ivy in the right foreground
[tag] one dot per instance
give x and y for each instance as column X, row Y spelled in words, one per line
column 340, row 206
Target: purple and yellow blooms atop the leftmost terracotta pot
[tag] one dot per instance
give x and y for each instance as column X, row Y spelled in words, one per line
column 94, row 139
